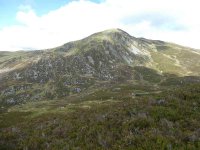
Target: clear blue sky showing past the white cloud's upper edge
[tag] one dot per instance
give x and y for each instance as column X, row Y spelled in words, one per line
column 9, row 8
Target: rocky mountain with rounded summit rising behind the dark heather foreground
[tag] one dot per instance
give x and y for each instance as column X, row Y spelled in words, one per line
column 104, row 57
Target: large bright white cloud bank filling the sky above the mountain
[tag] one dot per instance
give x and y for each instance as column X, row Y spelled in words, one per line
column 170, row 20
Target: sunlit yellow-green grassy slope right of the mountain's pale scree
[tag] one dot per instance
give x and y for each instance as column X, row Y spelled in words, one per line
column 175, row 59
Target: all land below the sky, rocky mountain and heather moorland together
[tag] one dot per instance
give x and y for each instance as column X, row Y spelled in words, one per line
column 109, row 90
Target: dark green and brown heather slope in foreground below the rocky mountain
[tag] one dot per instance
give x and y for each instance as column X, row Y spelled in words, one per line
column 107, row 119
